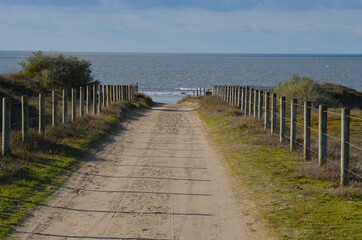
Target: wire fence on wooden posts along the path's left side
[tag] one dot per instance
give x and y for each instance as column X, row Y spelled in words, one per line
column 55, row 108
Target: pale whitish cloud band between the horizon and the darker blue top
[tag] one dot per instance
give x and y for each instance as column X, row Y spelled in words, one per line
column 180, row 30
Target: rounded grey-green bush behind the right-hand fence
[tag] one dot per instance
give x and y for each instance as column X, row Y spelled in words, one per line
column 305, row 89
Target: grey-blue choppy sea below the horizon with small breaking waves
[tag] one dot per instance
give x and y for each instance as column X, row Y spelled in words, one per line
column 168, row 77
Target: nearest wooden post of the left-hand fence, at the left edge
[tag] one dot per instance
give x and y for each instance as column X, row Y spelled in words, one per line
column 6, row 126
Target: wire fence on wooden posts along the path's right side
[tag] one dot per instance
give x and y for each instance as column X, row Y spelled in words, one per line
column 335, row 130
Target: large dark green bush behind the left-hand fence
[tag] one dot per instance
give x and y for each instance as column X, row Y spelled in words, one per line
column 57, row 70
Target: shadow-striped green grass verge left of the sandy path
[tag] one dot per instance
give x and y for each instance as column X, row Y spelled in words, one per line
column 32, row 172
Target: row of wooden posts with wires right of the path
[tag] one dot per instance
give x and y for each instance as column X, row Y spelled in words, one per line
column 261, row 104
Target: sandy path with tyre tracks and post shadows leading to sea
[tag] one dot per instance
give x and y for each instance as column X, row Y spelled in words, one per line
column 158, row 178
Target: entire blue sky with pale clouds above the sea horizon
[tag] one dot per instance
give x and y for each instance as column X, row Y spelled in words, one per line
column 206, row 26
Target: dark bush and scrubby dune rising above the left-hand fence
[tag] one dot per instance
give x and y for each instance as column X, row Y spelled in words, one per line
column 44, row 73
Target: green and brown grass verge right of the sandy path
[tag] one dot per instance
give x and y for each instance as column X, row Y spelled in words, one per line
column 294, row 205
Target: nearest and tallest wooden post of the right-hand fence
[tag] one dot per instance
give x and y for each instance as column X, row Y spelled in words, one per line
column 345, row 124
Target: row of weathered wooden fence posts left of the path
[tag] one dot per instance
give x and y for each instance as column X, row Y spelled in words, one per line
column 93, row 100
